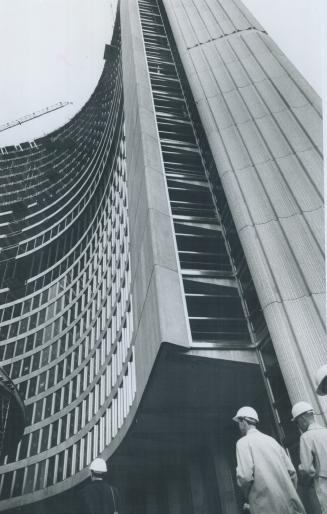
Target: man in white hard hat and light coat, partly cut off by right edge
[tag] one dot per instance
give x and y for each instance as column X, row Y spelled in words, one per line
column 313, row 450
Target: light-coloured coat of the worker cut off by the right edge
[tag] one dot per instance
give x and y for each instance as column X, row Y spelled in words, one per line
column 313, row 457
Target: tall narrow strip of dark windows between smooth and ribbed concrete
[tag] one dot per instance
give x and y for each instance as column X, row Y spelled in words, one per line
column 214, row 307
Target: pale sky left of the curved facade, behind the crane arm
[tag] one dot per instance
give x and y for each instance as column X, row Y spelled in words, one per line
column 51, row 51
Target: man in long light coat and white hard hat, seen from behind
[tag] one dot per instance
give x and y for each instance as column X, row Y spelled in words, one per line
column 264, row 471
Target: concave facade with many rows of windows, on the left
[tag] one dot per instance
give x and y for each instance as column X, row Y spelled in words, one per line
column 66, row 312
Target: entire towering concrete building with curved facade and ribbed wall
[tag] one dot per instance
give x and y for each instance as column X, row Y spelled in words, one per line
column 162, row 264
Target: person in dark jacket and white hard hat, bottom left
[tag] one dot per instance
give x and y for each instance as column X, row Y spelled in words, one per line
column 97, row 496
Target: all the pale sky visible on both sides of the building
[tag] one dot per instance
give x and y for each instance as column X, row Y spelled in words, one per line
column 52, row 51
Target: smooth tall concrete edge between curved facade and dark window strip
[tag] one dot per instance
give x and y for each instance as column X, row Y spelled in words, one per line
column 152, row 245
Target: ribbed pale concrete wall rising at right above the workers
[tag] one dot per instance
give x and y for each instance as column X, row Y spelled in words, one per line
column 263, row 123
